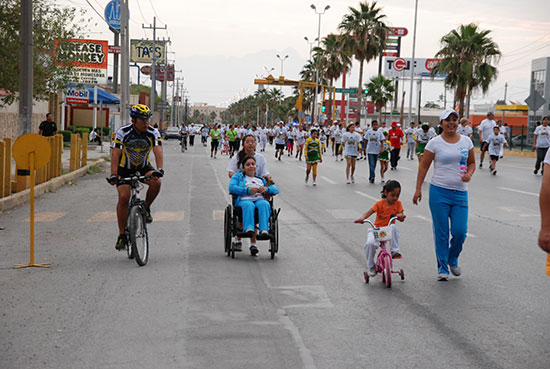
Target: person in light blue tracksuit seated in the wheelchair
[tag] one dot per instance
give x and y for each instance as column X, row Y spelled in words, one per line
column 251, row 192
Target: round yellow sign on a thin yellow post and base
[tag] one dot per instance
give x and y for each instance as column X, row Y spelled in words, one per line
column 31, row 152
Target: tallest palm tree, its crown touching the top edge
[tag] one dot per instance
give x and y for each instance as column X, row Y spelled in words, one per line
column 364, row 34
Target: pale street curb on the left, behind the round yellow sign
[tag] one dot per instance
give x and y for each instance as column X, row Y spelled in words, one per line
column 23, row 197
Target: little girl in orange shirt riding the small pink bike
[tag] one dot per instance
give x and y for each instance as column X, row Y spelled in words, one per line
column 385, row 209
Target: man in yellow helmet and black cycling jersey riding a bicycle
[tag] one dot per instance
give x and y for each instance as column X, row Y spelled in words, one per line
column 130, row 154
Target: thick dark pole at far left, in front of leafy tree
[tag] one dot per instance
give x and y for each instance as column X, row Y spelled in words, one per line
column 26, row 71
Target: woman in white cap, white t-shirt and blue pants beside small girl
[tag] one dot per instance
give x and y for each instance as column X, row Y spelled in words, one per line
column 454, row 165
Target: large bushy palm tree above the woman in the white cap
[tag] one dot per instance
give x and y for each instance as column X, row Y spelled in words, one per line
column 467, row 55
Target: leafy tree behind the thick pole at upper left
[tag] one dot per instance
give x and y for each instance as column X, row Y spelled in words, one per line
column 50, row 22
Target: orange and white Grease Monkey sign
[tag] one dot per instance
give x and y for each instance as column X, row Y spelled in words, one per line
column 88, row 58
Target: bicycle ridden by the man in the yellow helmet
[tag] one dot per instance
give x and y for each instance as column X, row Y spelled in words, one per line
column 136, row 227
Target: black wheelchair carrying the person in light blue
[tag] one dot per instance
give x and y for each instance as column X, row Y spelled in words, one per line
column 231, row 229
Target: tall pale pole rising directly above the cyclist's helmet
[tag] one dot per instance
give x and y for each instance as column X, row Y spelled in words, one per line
column 125, row 63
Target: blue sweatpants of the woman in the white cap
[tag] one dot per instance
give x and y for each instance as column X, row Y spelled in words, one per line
column 448, row 206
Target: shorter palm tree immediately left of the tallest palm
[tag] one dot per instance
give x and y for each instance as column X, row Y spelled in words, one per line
column 333, row 60
